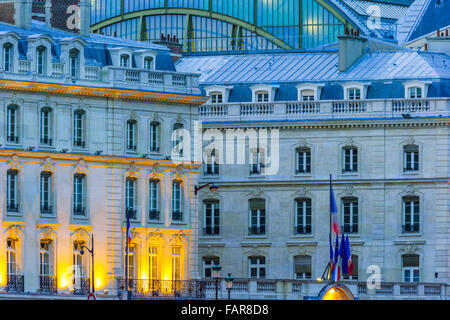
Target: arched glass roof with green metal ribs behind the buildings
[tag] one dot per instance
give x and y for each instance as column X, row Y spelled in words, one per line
column 240, row 25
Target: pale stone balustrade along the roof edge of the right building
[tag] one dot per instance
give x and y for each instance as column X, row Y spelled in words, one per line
column 325, row 109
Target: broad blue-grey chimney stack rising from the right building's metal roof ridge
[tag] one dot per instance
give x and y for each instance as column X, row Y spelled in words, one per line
column 351, row 48
